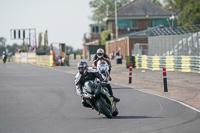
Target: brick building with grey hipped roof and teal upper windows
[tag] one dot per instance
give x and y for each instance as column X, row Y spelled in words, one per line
column 136, row 16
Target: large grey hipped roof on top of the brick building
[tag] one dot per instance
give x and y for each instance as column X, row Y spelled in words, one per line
column 141, row 8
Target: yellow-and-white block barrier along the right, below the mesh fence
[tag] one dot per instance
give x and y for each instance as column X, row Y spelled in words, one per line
column 172, row 63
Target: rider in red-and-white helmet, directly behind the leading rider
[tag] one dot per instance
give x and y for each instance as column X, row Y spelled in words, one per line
column 101, row 55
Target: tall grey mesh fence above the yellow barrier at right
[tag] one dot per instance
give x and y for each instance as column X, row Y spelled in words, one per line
column 175, row 45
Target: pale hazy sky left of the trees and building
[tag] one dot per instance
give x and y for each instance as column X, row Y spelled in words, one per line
column 65, row 20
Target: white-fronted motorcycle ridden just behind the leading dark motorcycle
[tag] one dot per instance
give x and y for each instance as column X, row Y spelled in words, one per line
column 103, row 68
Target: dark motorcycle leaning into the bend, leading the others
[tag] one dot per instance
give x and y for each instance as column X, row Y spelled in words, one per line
column 99, row 98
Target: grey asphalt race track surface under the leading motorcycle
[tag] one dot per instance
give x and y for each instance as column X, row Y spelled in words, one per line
column 37, row 99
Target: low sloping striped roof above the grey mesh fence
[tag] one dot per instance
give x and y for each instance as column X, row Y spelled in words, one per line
column 160, row 30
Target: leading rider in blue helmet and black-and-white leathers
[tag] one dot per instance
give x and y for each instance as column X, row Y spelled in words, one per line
column 86, row 74
